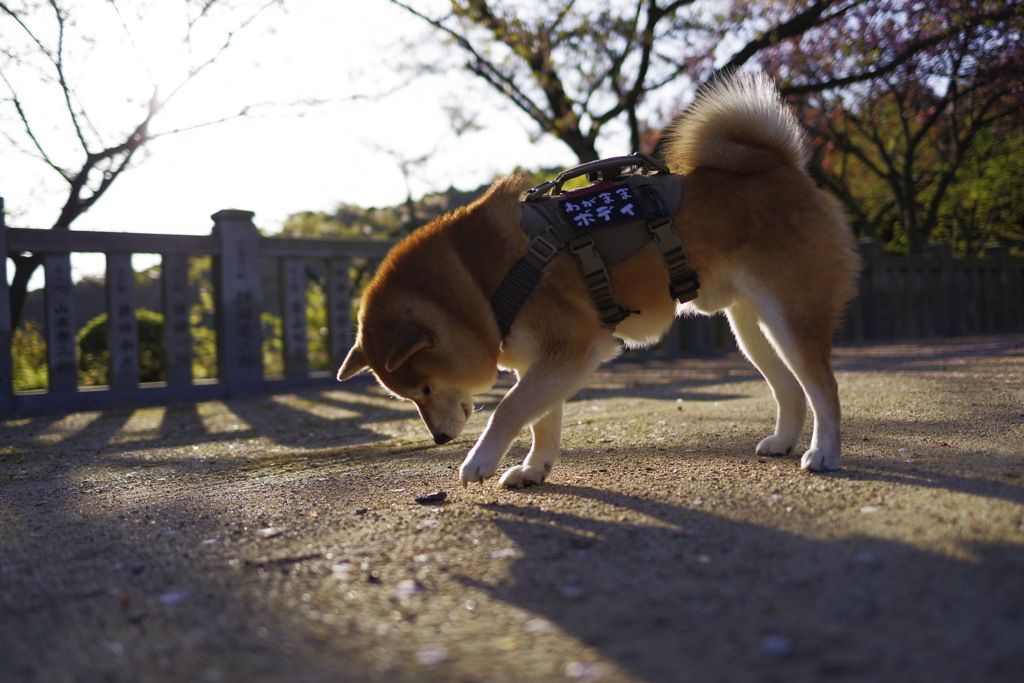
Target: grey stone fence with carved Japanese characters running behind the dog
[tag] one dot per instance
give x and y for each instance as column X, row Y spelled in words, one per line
column 901, row 297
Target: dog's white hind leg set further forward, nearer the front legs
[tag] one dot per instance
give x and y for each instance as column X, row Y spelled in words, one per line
column 790, row 401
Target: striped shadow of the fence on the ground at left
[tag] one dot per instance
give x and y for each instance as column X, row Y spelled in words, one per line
column 311, row 423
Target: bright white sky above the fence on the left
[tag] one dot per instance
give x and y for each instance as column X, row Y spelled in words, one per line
column 281, row 159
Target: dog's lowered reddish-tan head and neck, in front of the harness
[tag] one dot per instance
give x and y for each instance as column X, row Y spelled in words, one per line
column 426, row 329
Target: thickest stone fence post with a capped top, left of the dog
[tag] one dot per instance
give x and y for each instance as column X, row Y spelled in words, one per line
column 239, row 304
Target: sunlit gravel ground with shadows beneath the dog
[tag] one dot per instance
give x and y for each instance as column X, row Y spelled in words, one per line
column 280, row 539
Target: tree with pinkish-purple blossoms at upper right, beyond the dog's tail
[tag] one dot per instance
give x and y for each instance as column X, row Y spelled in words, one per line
column 953, row 70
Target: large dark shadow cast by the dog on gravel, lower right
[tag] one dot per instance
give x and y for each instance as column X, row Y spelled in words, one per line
column 696, row 597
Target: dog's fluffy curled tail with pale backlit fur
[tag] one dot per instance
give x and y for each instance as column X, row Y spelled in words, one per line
column 739, row 123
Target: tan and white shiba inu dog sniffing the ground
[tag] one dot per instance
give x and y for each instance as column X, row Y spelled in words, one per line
column 771, row 250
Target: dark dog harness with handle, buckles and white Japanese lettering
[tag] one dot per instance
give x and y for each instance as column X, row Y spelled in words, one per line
column 629, row 204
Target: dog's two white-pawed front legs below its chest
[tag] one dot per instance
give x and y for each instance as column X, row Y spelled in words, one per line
column 536, row 398
